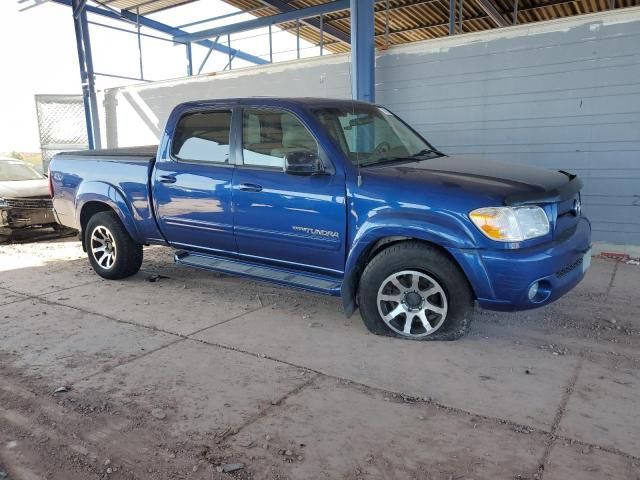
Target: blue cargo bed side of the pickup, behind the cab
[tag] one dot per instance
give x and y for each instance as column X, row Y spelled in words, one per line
column 119, row 177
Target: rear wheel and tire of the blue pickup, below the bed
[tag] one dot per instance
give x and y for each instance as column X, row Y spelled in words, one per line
column 105, row 235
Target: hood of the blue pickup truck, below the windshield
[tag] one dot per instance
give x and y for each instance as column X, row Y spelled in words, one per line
column 484, row 177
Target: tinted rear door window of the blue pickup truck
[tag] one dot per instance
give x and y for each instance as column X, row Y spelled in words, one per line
column 203, row 137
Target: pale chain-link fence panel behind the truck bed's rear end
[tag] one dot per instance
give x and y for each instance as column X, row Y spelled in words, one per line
column 62, row 125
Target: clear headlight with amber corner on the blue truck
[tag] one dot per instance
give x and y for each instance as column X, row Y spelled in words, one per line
column 511, row 224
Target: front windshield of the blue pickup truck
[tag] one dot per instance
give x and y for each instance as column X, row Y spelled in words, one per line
column 371, row 135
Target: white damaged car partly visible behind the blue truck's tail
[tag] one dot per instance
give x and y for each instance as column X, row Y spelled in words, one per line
column 25, row 202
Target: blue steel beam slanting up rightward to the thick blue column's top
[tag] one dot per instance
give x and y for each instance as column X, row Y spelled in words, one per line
column 295, row 14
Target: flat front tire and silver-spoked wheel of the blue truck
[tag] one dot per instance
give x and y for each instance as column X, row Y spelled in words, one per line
column 415, row 281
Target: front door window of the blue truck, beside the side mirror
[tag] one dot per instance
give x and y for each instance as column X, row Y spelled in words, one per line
column 268, row 135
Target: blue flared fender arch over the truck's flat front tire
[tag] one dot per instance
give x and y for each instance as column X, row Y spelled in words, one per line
column 440, row 228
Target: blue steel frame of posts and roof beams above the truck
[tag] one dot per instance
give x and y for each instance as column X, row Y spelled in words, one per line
column 362, row 40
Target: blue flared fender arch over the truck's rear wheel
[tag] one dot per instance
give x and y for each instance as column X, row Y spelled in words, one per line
column 108, row 194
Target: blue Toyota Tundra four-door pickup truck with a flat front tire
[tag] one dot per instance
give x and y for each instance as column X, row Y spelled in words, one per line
column 332, row 196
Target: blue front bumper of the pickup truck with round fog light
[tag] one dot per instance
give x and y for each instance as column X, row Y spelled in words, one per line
column 502, row 279
